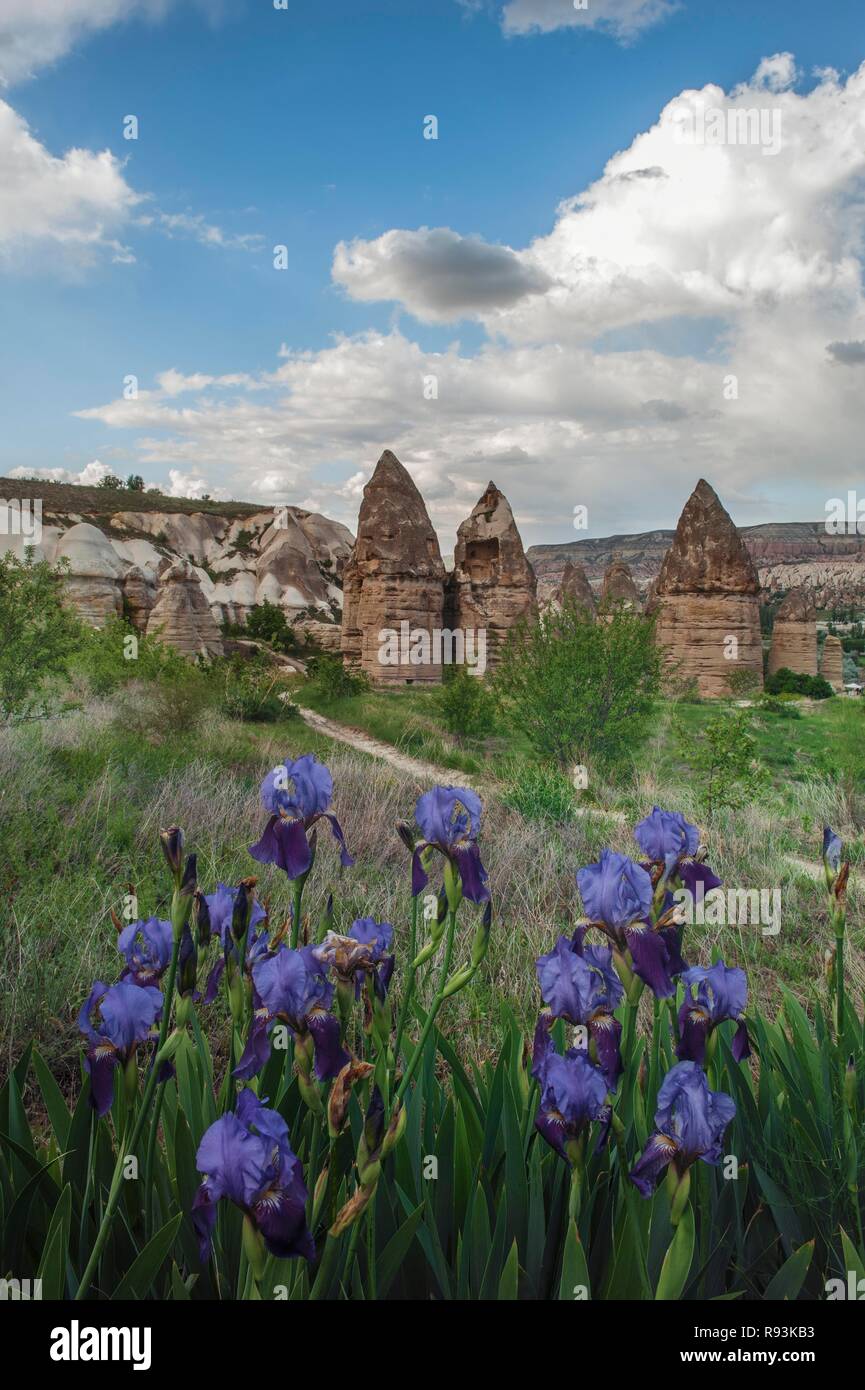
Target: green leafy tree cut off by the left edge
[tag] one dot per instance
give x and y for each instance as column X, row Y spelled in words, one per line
column 40, row 635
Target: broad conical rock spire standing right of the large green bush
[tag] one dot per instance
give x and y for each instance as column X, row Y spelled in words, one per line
column 707, row 600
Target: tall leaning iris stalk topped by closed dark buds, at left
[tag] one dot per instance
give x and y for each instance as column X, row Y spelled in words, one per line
column 181, row 903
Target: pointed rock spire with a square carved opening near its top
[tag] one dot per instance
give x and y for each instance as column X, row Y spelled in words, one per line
column 493, row 584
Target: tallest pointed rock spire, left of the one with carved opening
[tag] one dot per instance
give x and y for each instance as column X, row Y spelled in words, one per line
column 394, row 583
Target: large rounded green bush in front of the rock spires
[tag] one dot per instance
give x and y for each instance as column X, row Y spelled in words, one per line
column 581, row 690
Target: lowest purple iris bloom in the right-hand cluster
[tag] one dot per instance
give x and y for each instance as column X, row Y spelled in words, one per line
column 690, row 1124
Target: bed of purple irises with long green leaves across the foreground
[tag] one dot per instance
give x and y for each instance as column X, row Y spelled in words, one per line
column 614, row 1164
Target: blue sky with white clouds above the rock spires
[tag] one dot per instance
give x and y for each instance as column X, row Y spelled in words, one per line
column 305, row 129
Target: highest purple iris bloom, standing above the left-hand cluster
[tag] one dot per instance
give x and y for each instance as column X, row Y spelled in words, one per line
column 297, row 794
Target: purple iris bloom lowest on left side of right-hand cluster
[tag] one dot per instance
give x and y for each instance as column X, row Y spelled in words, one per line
column 574, row 1093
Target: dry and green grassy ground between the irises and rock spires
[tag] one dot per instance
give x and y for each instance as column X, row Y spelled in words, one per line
column 84, row 797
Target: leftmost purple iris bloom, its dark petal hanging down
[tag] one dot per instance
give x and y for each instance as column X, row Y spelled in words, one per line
column 115, row 1021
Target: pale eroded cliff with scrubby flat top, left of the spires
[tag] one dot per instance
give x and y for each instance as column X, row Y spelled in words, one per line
column 118, row 559
